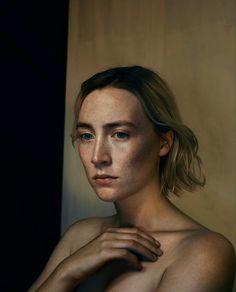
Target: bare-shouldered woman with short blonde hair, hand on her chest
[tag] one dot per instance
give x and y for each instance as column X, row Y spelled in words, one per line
column 136, row 152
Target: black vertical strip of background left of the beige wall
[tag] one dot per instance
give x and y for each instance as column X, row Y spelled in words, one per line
column 33, row 74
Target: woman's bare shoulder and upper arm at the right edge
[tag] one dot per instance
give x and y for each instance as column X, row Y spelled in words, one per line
column 205, row 264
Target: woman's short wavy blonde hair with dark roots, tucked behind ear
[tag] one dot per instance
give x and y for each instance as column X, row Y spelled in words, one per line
column 180, row 169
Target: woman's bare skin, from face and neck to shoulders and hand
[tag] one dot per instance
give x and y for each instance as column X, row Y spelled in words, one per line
column 148, row 245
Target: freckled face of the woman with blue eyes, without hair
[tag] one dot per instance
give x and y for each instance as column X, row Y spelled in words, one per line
column 117, row 144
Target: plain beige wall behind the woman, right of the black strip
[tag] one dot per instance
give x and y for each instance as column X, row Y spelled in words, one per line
column 191, row 43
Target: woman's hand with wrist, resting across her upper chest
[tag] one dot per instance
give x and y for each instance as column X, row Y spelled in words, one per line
column 115, row 243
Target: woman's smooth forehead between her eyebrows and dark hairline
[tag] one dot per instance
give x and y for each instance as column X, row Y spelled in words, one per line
column 108, row 104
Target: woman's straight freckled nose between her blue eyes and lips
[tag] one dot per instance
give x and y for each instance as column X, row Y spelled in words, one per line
column 101, row 154
